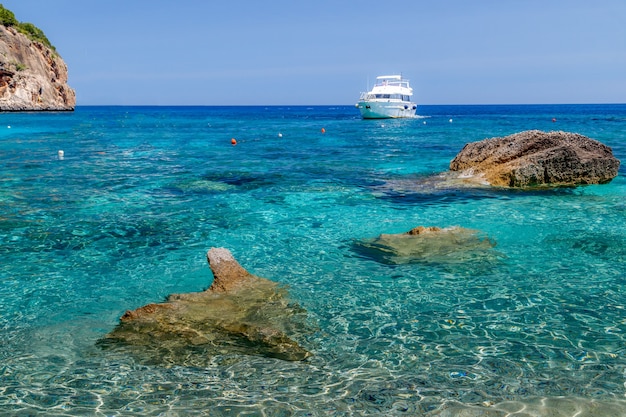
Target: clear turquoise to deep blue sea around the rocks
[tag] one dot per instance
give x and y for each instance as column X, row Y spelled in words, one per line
column 109, row 208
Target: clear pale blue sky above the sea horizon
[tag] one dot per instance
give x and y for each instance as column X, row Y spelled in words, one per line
column 245, row 52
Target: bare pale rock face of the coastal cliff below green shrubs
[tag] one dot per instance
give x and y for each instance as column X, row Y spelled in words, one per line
column 32, row 76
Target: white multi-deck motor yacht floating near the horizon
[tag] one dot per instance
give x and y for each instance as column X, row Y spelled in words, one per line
column 389, row 98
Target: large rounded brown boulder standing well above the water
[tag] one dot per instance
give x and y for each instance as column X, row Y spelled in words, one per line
column 534, row 158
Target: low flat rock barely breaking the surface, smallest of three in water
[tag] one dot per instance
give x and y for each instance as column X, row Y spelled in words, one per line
column 428, row 245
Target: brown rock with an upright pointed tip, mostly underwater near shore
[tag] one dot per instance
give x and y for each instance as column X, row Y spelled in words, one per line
column 239, row 313
